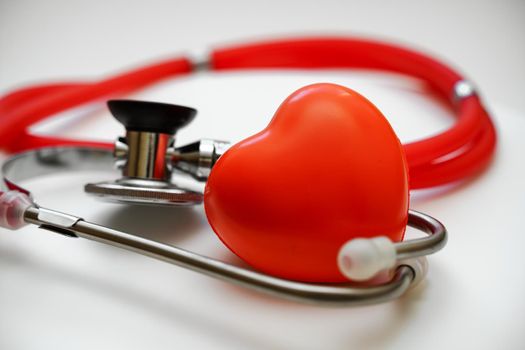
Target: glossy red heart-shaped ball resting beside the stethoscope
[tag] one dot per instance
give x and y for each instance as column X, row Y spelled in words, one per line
column 328, row 168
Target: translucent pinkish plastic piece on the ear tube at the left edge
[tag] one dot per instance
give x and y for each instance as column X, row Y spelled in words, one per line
column 13, row 204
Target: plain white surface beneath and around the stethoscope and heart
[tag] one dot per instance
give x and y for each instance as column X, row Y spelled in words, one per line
column 60, row 293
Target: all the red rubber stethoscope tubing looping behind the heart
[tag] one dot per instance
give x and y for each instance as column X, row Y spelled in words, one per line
column 459, row 152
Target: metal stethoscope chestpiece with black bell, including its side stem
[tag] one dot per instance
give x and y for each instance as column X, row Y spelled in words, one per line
column 148, row 158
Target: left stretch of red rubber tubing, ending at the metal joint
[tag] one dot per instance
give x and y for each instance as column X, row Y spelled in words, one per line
column 37, row 103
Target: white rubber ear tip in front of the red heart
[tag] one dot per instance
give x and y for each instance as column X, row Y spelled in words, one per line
column 360, row 259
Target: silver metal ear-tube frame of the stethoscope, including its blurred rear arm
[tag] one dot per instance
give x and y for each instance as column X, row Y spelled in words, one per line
column 408, row 269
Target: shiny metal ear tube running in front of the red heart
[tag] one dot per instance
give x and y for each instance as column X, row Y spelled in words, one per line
column 407, row 273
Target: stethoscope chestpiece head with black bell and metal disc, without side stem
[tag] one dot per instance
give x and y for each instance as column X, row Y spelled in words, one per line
column 142, row 154
